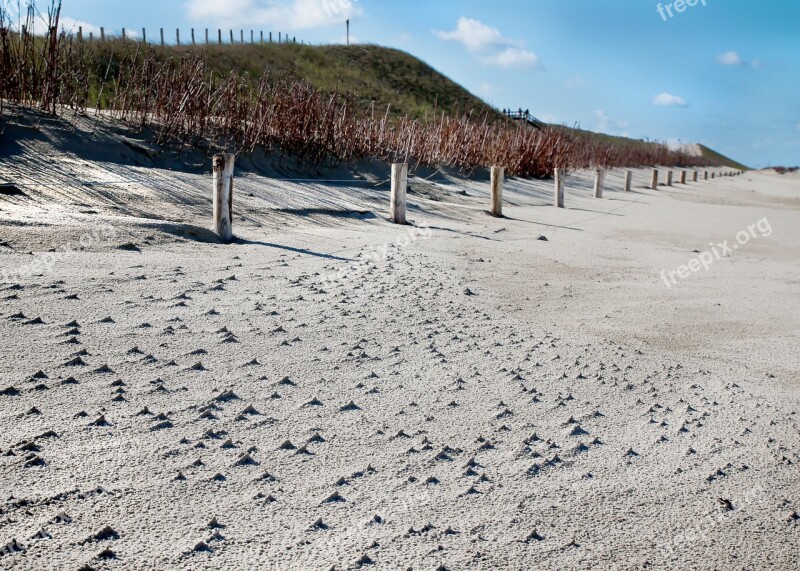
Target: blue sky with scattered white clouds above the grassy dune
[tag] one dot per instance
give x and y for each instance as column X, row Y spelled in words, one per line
column 725, row 73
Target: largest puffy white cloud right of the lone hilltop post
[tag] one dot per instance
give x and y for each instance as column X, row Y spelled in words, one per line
column 489, row 46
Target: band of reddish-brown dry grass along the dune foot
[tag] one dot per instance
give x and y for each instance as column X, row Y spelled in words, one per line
column 185, row 101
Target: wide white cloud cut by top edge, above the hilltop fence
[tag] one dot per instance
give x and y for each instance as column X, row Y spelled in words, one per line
column 286, row 14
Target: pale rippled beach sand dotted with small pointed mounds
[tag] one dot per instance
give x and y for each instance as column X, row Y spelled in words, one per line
column 519, row 403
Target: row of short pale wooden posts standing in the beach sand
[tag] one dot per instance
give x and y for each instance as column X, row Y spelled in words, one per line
column 223, row 190
